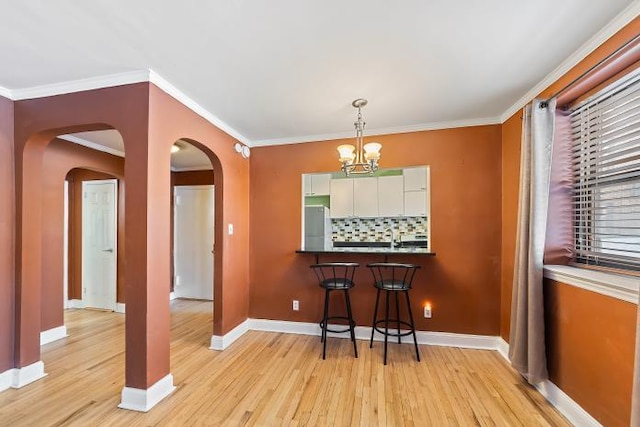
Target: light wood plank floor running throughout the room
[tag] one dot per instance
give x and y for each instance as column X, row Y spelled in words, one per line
column 271, row 379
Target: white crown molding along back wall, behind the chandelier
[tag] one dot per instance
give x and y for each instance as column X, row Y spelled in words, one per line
column 381, row 131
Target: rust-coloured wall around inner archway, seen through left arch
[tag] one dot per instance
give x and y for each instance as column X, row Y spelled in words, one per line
column 59, row 158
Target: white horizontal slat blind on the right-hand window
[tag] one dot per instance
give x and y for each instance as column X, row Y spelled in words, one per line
column 606, row 171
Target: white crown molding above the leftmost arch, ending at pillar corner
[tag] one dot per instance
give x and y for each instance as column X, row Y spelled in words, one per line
column 81, row 85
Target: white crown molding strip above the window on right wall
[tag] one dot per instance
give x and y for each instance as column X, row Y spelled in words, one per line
column 624, row 18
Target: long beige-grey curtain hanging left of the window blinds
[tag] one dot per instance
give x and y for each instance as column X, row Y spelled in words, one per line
column 527, row 340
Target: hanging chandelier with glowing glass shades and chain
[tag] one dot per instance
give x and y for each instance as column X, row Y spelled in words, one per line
column 363, row 158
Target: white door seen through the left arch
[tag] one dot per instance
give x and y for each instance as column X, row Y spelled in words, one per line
column 99, row 231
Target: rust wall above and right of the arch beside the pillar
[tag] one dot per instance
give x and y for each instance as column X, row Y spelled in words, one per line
column 170, row 121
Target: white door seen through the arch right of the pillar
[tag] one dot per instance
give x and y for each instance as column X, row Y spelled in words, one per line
column 193, row 241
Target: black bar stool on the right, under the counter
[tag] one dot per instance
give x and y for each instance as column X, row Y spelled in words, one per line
column 393, row 278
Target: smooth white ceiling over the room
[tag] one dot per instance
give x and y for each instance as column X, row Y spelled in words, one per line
column 278, row 71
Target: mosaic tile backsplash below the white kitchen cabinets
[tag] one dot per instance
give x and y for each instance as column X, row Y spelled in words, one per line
column 376, row 229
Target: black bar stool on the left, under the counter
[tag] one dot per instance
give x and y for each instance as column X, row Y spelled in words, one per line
column 336, row 276
